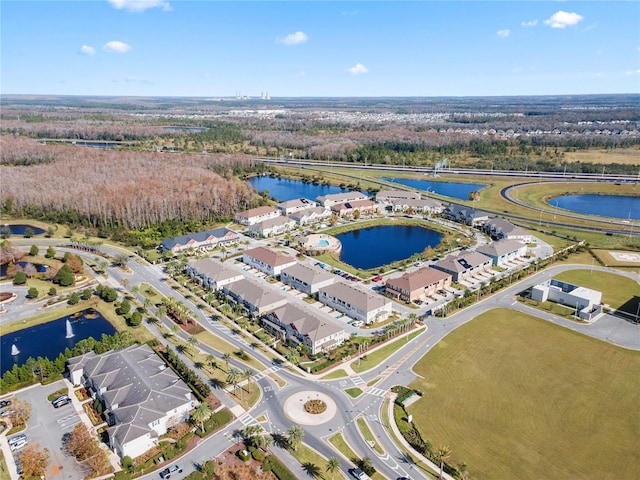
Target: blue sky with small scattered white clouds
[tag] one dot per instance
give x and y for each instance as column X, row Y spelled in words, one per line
column 308, row 48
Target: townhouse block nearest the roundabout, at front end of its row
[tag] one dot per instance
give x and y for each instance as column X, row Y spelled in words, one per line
column 304, row 325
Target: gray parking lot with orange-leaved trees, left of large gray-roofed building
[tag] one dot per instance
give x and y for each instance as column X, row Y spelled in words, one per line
column 46, row 427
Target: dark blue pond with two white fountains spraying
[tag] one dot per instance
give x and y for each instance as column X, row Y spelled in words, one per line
column 50, row 339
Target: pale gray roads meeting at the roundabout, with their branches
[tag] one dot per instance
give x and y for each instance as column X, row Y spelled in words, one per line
column 397, row 369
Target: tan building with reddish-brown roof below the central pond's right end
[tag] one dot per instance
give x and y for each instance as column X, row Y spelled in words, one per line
column 418, row 284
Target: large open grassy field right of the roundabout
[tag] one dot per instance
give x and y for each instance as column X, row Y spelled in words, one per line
column 516, row 397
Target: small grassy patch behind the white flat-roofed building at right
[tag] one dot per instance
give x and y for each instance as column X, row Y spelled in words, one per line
column 617, row 291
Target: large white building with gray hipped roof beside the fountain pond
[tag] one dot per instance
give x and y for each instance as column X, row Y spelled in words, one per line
column 142, row 398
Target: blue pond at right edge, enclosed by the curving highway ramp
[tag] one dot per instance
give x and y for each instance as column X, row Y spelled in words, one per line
column 615, row 206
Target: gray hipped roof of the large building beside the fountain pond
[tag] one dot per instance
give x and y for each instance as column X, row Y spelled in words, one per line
column 139, row 383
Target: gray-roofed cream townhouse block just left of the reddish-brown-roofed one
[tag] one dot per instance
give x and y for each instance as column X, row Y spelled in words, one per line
column 355, row 302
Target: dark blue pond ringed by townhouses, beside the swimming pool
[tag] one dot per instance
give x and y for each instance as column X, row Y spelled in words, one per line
column 376, row 246
